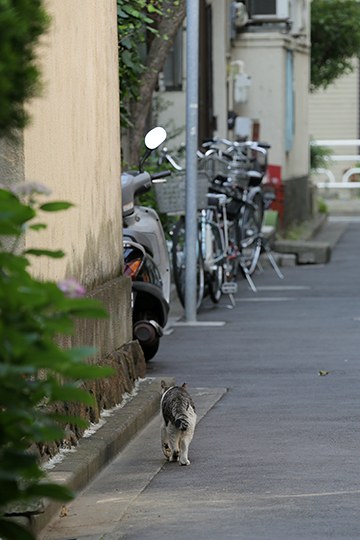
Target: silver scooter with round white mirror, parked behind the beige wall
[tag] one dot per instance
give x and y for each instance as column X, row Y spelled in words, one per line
column 146, row 255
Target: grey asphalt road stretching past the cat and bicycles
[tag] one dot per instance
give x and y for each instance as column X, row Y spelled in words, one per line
column 276, row 453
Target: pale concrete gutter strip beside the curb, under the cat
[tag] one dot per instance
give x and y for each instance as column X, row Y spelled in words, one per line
column 103, row 504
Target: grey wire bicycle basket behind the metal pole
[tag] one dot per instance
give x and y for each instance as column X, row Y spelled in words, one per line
column 170, row 195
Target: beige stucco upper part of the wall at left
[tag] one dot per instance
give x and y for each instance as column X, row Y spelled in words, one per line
column 73, row 142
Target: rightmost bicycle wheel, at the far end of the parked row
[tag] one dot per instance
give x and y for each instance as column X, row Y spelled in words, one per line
column 249, row 229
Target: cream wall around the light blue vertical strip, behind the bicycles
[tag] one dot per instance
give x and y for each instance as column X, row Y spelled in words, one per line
column 265, row 57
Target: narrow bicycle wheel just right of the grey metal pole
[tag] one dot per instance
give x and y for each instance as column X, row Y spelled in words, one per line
column 215, row 264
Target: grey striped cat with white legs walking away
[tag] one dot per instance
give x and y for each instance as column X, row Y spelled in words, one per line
column 178, row 422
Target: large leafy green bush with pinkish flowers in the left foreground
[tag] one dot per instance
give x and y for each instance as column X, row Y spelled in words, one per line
column 36, row 375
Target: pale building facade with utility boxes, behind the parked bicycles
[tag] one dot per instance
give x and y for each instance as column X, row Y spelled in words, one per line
column 254, row 76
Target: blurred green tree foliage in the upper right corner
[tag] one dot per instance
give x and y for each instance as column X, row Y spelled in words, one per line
column 335, row 39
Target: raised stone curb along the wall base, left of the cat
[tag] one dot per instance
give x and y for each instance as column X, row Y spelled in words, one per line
column 93, row 453
